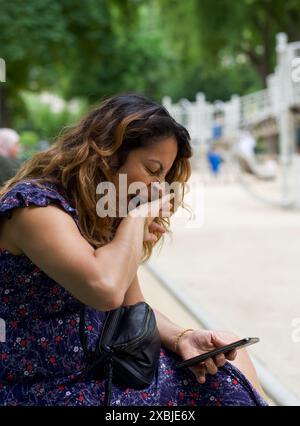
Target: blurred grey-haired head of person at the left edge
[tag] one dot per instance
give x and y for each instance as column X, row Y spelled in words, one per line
column 9, row 150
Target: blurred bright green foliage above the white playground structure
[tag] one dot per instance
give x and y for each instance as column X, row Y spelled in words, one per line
column 209, row 33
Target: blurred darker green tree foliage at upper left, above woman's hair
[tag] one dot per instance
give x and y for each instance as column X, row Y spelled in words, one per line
column 90, row 49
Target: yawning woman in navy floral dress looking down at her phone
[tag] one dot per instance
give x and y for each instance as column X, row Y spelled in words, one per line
column 58, row 253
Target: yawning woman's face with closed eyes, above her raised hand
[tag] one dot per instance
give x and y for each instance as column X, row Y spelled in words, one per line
column 149, row 165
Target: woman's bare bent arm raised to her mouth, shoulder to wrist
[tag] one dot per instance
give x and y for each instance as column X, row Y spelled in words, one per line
column 99, row 278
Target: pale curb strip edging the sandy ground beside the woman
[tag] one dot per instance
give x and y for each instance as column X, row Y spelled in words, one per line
column 277, row 392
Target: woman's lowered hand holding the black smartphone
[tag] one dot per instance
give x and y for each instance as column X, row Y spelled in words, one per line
column 200, row 341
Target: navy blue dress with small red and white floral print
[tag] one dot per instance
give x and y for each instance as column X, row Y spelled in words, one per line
column 40, row 350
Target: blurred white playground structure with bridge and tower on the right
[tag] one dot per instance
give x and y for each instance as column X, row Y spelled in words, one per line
column 272, row 114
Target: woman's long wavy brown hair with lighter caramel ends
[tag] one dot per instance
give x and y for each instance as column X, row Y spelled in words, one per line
column 93, row 150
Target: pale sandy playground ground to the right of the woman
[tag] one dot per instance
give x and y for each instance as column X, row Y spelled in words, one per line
column 242, row 266
